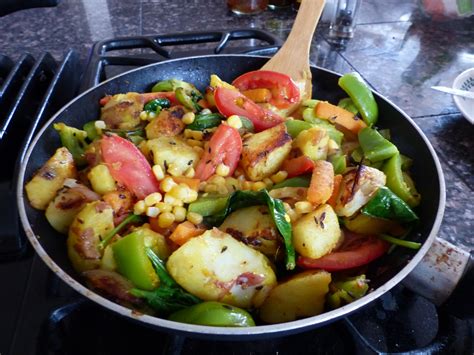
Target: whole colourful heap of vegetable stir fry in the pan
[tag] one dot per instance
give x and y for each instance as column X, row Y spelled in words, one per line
column 235, row 206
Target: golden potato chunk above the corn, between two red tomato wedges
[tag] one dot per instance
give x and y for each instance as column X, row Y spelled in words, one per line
column 173, row 151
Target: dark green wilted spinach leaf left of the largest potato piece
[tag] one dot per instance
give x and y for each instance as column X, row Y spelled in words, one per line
column 169, row 297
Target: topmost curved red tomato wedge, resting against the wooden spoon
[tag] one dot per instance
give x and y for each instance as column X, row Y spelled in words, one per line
column 283, row 88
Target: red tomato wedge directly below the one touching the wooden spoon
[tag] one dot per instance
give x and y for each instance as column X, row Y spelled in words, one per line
column 231, row 102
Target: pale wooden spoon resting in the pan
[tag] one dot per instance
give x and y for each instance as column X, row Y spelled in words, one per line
column 293, row 57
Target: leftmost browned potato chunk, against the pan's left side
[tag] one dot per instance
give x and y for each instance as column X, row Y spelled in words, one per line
column 50, row 178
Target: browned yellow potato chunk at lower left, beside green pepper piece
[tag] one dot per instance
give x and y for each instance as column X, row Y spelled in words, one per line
column 86, row 231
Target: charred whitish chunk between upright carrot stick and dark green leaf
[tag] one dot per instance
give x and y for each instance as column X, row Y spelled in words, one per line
column 358, row 186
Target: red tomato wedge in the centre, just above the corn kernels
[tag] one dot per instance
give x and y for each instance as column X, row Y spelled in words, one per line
column 225, row 147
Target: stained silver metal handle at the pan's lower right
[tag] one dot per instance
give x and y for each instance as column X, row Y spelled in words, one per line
column 444, row 268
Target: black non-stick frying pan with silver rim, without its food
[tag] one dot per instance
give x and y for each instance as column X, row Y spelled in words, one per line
column 386, row 273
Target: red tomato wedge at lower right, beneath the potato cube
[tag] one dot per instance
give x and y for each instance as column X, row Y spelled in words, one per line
column 356, row 250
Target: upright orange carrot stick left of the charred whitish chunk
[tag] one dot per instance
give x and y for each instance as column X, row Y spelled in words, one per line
column 322, row 182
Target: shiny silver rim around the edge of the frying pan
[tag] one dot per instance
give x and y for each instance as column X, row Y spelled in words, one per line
column 231, row 332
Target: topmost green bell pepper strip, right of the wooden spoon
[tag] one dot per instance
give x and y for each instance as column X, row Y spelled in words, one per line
column 361, row 95
